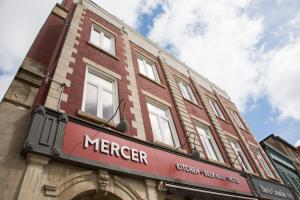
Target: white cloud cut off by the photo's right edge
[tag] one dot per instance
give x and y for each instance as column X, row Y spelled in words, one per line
column 281, row 80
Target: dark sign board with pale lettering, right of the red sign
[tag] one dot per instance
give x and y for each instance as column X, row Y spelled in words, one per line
column 269, row 190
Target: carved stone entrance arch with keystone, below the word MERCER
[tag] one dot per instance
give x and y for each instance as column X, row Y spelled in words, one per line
column 90, row 185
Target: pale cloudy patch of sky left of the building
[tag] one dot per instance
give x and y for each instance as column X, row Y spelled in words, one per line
column 20, row 22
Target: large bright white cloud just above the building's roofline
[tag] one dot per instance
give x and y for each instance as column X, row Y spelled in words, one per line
column 216, row 39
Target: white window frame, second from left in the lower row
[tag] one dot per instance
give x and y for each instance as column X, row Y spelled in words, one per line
column 169, row 118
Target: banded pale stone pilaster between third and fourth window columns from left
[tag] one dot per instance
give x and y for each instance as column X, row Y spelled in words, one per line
column 223, row 138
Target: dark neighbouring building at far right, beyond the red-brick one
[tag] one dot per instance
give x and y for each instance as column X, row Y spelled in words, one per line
column 286, row 160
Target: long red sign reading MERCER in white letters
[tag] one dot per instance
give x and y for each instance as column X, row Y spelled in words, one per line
column 92, row 145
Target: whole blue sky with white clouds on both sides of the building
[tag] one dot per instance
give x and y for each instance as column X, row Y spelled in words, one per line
column 249, row 48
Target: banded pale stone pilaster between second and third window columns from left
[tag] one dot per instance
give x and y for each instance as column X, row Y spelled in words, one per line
column 186, row 122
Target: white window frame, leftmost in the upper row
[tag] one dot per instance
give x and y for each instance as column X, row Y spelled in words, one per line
column 103, row 33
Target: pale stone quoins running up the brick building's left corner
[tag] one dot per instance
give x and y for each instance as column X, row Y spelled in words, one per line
column 56, row 93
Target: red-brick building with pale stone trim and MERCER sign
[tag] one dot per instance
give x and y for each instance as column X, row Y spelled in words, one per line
column 97, row 111
